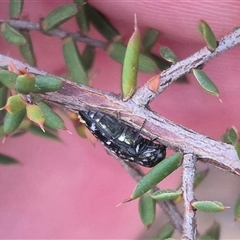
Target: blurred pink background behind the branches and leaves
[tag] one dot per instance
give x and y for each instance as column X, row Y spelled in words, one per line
column 71, row 189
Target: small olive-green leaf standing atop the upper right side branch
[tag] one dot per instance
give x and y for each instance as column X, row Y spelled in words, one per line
column 208, row 35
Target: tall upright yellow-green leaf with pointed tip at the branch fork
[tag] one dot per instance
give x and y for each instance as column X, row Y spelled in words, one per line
column 130, row 64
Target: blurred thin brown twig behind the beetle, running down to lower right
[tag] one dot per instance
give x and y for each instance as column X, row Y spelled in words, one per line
column 168, row 206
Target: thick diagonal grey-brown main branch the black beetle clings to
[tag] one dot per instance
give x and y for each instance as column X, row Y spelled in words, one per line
column 74, row 97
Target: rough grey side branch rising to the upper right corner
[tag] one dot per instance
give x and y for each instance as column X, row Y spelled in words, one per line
column 144, row 95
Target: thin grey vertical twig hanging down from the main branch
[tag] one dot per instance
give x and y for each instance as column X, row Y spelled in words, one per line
column 189, row 170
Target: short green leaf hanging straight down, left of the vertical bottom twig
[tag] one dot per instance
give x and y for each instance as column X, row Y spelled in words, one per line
column 147, row 209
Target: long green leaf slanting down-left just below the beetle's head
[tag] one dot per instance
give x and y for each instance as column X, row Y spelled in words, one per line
column 157, row 174
